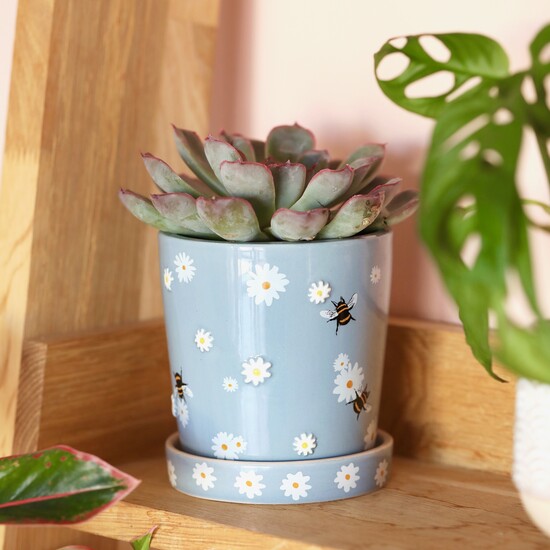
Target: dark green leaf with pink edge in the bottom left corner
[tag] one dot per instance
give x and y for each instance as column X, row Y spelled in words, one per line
column 58, row 485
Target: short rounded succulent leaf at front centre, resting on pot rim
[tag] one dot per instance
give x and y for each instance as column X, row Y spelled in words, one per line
column 291, row 225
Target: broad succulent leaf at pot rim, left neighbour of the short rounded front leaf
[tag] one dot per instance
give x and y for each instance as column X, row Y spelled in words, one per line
column 232, row 218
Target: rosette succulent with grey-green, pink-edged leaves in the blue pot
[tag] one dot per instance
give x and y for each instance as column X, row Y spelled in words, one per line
column 283, row 189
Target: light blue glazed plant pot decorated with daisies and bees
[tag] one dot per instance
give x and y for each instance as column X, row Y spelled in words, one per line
column 301, row 346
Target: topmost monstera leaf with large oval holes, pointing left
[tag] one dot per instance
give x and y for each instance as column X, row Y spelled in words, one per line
column 471, row 55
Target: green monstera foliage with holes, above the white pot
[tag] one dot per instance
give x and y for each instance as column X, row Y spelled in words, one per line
column 469, row 186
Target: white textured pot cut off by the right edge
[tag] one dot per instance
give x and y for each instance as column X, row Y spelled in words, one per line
column 531, row 471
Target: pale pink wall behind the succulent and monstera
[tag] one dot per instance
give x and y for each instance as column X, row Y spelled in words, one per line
column 310, row 61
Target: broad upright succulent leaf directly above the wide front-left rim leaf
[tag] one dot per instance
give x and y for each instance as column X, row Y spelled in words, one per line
column 251, row 181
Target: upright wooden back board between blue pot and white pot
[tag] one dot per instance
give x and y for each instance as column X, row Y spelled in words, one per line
column 439, row 403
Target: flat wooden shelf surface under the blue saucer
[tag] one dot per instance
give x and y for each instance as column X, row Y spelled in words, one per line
column 423, row 506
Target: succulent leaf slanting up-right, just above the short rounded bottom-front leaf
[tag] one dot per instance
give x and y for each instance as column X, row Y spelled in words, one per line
column 325, row 189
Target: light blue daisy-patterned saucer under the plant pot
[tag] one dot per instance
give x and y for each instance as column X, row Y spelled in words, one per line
column 292, row 482
